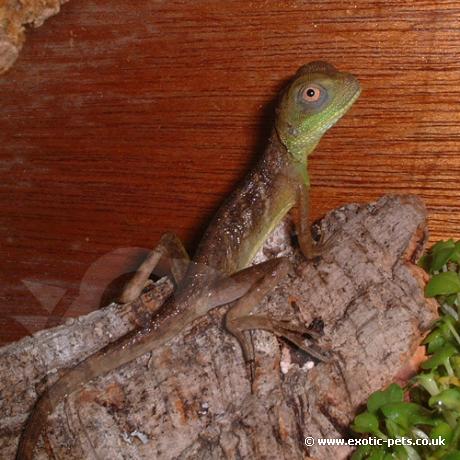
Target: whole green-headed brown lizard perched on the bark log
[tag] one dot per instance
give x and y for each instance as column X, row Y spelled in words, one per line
column 220, row 273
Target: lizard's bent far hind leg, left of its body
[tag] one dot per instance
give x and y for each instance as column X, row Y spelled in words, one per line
column 170, row 253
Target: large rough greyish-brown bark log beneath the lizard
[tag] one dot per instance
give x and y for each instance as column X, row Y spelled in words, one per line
column 192, row 399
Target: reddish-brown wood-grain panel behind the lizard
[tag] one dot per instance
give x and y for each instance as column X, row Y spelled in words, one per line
column 121, row 122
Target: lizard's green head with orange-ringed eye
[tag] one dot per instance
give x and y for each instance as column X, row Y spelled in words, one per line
column 314, row 101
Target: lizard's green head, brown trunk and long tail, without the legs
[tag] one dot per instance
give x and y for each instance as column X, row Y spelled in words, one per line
column 315, row 100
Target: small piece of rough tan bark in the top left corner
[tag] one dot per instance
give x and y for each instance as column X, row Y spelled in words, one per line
column 15, row 15
